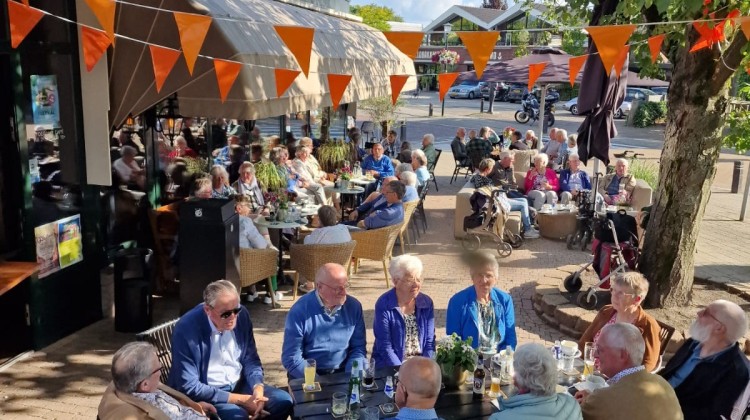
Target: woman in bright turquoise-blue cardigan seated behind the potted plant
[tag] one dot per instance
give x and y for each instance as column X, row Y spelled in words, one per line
column 483, row 311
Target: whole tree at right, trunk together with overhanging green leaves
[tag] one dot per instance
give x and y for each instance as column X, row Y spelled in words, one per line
column 694, row 134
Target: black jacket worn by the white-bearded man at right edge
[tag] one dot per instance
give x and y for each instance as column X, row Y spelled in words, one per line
column 713, row 387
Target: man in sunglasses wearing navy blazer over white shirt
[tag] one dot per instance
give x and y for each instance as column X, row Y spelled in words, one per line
column 214, row 359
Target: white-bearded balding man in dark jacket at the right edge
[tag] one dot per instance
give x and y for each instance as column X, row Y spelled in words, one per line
column 709, row 371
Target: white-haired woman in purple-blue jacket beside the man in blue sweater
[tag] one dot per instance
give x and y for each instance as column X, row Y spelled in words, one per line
column 404, row 323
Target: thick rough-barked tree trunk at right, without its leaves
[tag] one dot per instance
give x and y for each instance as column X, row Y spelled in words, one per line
column 697, row 101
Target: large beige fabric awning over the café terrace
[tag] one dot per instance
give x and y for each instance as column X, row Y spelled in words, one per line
column 242, row 30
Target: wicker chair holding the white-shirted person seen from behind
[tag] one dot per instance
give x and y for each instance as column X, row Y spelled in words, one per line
column 307, row 259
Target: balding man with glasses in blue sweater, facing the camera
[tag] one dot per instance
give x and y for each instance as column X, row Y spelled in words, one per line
column 327, row 326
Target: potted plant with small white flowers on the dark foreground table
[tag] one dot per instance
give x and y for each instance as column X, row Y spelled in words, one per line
column 455, row 357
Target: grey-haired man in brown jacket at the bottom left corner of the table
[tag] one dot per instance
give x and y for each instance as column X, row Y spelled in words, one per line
column 136, row 391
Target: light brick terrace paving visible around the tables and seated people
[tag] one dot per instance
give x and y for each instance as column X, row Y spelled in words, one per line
column 66, row 379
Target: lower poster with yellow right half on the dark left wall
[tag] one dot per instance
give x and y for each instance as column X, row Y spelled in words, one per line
column 58, row 244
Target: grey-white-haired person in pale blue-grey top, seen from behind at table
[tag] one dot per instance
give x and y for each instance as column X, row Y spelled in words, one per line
column 536, row 379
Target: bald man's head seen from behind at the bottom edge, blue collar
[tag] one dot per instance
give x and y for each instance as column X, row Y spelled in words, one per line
column 417, row 389
